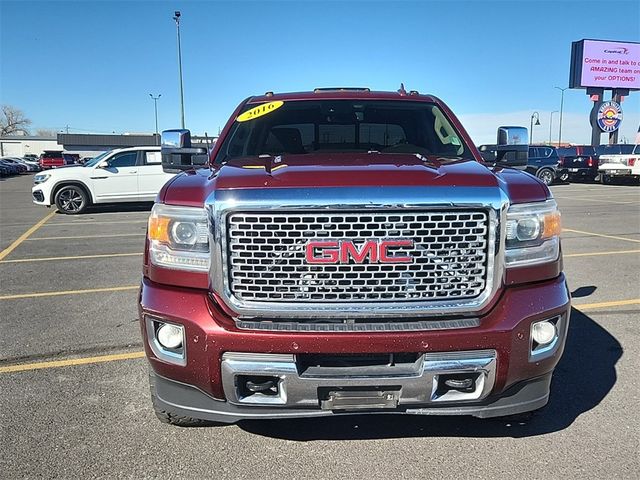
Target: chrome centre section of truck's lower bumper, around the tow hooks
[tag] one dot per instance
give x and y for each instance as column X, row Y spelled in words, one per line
column 421, row 382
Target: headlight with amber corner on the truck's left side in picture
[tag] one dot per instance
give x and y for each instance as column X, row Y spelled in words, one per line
column 179, row 238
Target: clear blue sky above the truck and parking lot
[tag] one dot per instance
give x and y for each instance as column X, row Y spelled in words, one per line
column 92, row 64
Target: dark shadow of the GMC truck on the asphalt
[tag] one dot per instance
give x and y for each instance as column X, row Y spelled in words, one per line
column 584, row 377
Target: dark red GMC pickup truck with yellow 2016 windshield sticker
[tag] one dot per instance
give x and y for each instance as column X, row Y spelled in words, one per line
column 346, row 251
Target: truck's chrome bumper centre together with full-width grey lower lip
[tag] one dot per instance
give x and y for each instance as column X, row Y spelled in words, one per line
column 320, row 396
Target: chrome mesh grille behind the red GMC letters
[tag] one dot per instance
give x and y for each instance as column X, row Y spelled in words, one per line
column 266, row 256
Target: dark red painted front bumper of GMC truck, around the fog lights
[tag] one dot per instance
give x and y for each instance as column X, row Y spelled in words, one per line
column 210, row 332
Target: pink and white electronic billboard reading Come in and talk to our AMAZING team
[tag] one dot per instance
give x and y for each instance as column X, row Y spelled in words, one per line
column 605, row 64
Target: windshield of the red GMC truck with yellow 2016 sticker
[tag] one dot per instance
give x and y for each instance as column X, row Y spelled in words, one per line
column 342, row 126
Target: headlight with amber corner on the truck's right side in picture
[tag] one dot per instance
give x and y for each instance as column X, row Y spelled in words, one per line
column 533, row 233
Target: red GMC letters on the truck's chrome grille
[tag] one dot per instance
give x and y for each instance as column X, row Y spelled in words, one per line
column 345, row 251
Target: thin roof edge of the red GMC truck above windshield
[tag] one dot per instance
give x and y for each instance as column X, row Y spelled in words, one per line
column 343, row 93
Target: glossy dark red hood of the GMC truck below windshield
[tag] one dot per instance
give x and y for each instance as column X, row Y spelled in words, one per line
column 348, row 170
